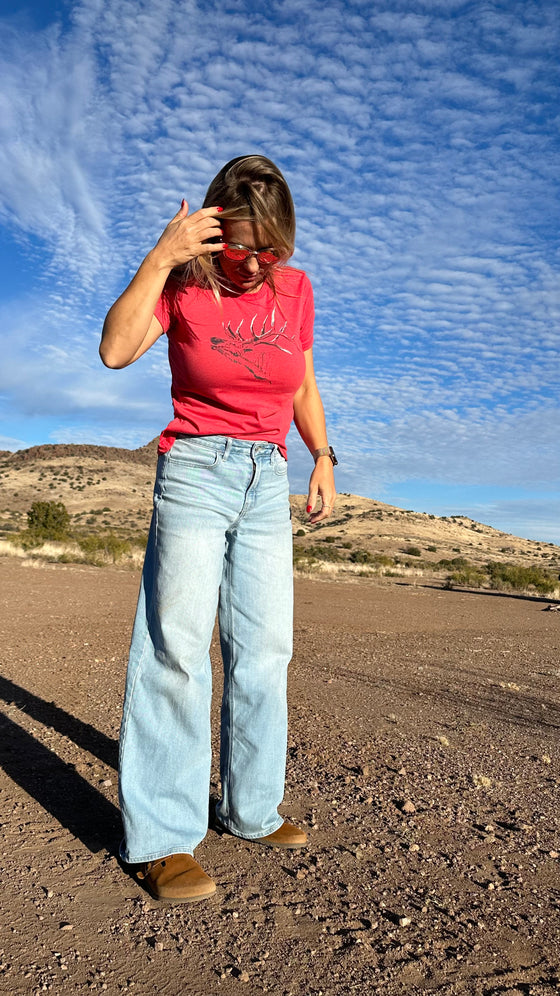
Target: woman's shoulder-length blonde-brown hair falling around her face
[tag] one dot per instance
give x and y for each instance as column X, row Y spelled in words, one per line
column 249, row 188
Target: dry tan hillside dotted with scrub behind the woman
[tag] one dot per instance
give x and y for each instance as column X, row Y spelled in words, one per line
column 110, row 488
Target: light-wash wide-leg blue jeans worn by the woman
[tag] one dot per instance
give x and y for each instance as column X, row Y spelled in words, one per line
column 220, row 537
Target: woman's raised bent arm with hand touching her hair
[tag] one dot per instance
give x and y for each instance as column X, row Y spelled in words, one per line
column 130, row 327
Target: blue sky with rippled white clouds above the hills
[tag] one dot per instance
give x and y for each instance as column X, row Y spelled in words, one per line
column 420, row 139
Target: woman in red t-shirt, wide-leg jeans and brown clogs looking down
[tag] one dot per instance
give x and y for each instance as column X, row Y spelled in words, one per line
column 239, row 324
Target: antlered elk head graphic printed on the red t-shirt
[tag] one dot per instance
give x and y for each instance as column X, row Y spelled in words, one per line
column 253, row 347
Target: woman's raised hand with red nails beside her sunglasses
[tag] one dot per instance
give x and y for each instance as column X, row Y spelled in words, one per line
column 186, row 235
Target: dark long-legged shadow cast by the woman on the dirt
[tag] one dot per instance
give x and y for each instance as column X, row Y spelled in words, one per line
column 54, row 783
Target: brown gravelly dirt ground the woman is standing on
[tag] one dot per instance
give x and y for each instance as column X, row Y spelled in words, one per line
column 423, row 761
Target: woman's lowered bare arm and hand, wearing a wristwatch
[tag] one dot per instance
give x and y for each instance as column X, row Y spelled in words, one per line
column 309, row 418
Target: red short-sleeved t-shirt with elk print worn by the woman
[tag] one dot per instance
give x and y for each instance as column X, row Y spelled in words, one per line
column 237, row 363
